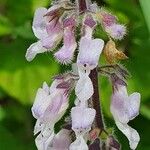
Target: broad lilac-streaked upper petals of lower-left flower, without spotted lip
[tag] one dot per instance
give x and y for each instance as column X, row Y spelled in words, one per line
column 49, row 106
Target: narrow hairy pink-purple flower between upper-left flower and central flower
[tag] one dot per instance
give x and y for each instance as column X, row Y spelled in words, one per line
column 65, row 54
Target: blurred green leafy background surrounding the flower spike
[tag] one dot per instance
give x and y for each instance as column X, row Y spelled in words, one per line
column 20, row 79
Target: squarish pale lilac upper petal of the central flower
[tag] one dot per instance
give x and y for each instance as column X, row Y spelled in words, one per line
column 89, row 52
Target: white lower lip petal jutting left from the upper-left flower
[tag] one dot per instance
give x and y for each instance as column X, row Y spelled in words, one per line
column 34, row 49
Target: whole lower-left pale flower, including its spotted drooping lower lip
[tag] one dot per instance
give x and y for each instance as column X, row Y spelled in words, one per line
column 49, row 106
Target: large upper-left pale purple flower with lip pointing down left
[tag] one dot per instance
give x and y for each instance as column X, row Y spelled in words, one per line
column 48, row 30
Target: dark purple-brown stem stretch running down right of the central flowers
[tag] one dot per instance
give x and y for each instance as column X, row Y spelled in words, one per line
column 96, row 99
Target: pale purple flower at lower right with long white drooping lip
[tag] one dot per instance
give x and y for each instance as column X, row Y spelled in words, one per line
column 125, row 108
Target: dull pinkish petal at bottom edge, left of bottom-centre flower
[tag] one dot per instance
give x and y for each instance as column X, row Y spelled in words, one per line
column 62, row 140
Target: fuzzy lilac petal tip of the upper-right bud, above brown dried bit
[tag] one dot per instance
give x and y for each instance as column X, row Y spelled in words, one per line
column 116, row 31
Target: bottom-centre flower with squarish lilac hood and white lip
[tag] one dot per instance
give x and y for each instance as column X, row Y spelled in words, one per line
column 81, row 125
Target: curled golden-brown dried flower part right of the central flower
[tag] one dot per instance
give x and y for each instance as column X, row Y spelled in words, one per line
column 112, row 54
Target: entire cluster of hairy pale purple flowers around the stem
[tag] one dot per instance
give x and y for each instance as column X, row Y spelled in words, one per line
column 60, row 23
